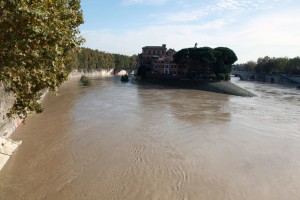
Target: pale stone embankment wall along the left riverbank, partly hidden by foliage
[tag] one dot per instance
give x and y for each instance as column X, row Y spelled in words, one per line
column 8, row 126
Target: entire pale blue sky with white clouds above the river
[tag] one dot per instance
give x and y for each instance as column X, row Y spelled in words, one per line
column 251, row 28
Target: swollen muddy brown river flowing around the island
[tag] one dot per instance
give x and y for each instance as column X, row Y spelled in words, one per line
column 145, row 142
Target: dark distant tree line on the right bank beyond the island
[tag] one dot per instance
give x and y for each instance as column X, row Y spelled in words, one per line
column 272, row 65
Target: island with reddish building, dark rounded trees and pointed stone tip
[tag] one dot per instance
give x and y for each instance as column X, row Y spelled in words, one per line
column 201, row 68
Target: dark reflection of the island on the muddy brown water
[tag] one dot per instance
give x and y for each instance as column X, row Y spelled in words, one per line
column 193, row 106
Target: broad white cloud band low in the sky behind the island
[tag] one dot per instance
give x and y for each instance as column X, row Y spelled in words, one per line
column 274, row 34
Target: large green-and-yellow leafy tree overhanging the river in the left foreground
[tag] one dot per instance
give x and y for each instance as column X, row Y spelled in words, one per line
column 36, row 37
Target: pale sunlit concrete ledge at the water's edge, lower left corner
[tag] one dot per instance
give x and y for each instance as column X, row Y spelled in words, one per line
column 7, row 148
